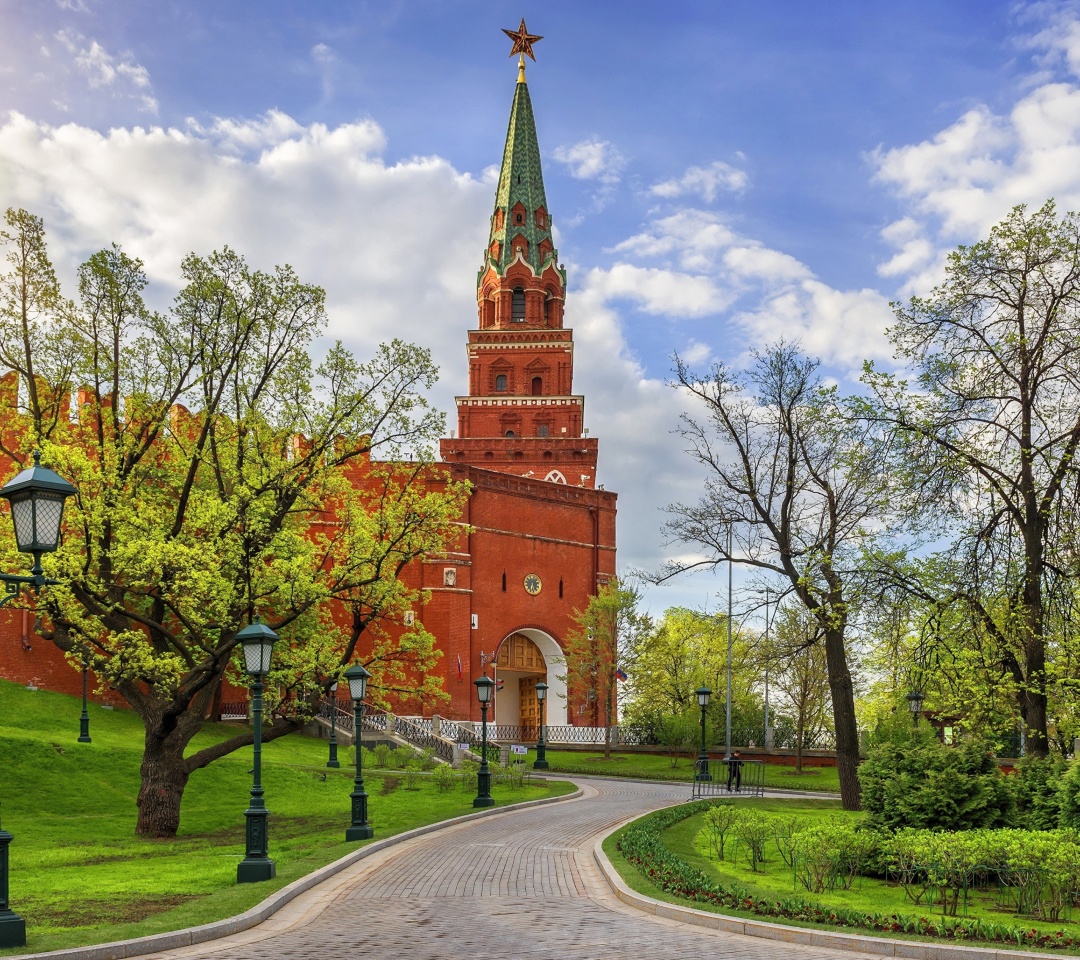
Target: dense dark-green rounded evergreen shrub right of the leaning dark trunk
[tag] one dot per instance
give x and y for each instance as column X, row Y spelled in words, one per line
column 911, row 780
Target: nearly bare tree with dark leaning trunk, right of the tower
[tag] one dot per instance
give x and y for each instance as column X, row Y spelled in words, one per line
column 791, row 483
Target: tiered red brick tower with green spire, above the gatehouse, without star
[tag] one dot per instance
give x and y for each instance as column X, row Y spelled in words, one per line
column 521, row 415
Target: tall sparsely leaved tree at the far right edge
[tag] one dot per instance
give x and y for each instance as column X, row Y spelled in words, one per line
column 988, row 437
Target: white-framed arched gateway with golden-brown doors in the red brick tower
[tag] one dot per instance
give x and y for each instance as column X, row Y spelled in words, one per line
column 524, row 659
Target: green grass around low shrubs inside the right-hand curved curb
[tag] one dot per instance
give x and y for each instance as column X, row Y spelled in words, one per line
column 775, row 882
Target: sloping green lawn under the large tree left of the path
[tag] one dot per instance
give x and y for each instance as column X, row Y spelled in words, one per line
column 80, row 876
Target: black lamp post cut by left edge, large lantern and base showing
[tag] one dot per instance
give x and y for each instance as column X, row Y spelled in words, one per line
column 37, row 498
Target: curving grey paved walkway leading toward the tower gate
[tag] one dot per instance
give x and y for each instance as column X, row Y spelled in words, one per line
column 520, row 886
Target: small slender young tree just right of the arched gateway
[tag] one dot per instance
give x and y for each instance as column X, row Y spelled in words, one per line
column 602, row 646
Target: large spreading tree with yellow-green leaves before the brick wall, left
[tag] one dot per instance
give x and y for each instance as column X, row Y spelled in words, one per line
column 221, row 474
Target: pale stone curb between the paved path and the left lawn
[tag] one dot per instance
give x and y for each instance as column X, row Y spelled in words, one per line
column 262, row 912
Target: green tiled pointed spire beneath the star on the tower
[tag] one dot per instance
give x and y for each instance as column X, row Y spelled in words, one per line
column 521, row 181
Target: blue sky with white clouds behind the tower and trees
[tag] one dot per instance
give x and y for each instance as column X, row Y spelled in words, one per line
column 720, row 173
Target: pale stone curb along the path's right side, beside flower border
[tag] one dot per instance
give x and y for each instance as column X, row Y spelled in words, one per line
column 803, row 936
